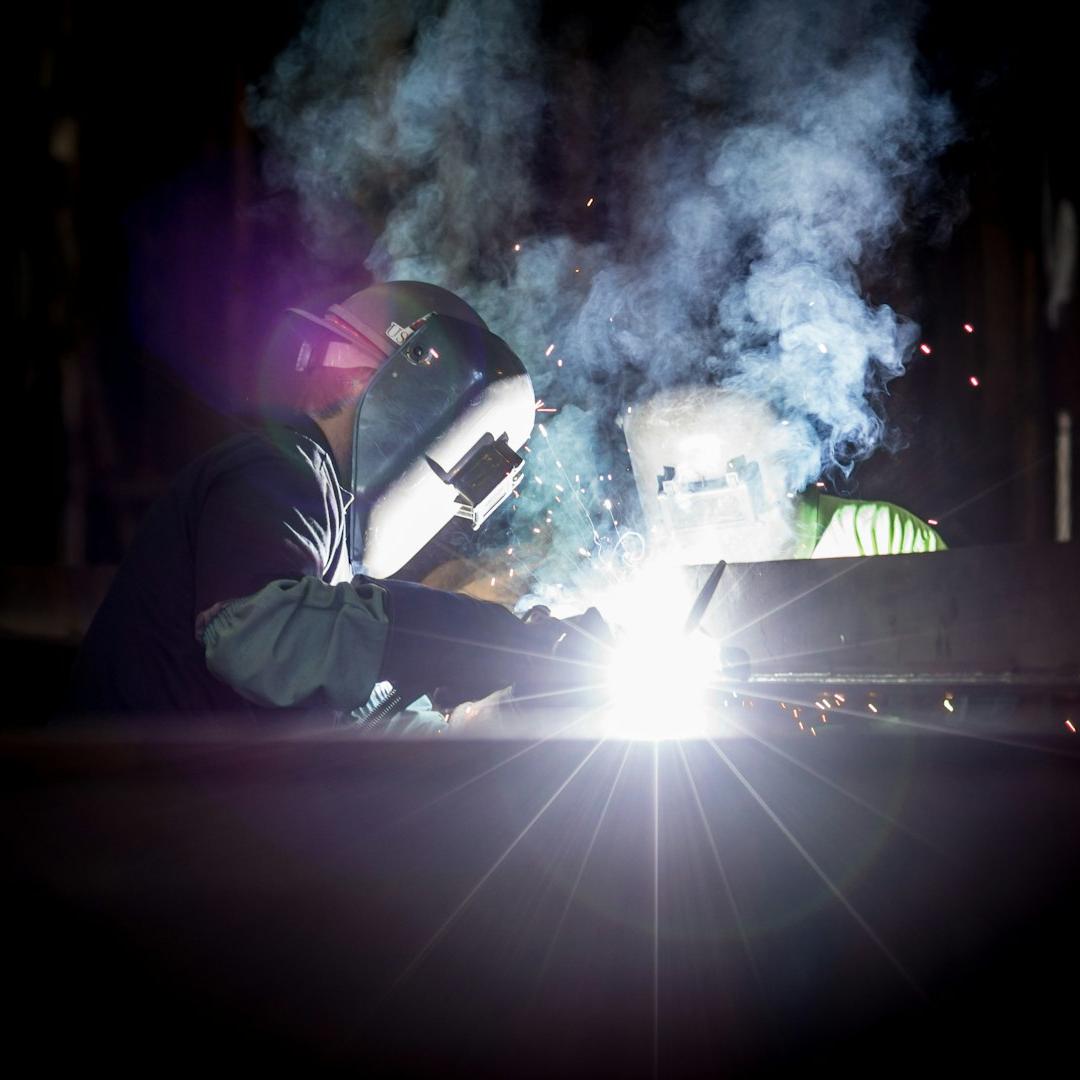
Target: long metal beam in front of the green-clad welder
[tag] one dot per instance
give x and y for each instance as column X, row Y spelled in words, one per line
column 997, row 616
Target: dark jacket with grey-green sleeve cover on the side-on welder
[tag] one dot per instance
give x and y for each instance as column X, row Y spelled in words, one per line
column 237, row 596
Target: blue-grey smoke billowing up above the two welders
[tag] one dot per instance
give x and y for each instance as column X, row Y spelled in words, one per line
column 780, row 150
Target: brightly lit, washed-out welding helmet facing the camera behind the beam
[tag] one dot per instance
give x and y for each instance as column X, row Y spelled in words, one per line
column 712, row 469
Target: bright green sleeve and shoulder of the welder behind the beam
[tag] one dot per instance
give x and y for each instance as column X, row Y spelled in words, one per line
column 830, row 528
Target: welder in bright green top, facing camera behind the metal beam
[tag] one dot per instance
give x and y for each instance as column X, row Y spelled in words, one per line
column 719, row 471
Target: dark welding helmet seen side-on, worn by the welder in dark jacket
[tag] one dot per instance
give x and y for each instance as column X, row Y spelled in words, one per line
column 440, row 425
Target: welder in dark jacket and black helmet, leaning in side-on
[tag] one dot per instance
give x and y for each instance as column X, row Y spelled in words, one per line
column 262, row 582
